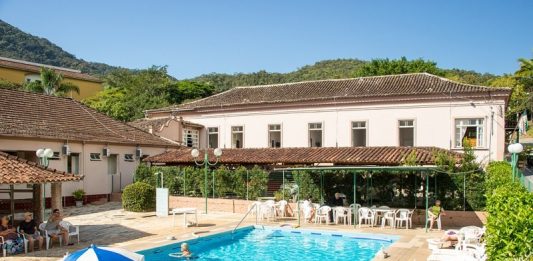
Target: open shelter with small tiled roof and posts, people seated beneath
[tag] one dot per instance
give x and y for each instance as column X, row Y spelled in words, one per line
column 15, row 171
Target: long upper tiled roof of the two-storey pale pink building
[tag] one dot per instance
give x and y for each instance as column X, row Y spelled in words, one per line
column 402, row 85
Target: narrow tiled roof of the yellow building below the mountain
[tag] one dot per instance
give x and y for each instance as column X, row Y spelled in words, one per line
column 36, row 68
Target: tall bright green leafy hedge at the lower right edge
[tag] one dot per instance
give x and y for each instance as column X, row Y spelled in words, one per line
column 509, row 224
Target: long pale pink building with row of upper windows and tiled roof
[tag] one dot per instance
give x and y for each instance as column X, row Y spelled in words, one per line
column 411, row 110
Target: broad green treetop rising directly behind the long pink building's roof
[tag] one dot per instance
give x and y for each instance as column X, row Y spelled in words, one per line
column 401, row 66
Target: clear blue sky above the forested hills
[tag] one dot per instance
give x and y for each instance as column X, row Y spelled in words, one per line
column 197, row 37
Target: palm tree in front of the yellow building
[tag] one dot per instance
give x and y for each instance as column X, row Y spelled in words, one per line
column 51, row 83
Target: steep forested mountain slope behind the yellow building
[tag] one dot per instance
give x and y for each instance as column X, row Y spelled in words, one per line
column 17, row 44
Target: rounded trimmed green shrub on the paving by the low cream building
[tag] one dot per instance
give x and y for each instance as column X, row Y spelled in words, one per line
column 138, row 197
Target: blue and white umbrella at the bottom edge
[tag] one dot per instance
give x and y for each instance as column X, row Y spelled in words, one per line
column 94, row 253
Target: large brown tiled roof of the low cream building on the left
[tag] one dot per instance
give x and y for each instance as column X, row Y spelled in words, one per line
column 26, row 114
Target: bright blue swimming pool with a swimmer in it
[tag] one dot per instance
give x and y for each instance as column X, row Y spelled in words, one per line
column 274, row 243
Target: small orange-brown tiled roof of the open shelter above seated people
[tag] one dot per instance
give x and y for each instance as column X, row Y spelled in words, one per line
column 14, row 170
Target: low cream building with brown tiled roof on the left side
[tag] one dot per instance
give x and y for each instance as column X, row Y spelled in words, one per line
column 85, row 142
